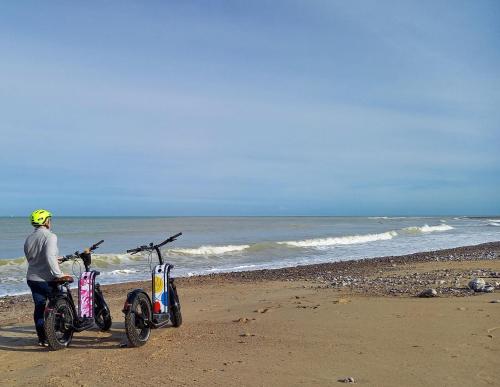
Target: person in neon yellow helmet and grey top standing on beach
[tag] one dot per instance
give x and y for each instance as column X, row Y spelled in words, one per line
column 41, row 252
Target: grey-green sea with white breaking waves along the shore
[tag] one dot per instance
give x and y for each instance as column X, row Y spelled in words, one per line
column 224, row 244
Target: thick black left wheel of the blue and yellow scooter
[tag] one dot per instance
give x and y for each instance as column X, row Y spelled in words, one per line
column 137, row 320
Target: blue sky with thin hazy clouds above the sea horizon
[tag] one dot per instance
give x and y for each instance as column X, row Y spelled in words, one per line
column 250, row 108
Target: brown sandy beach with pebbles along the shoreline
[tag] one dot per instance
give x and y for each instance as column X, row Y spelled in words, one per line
column 308, row 325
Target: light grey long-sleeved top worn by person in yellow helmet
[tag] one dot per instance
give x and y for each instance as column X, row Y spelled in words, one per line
column 41, row 252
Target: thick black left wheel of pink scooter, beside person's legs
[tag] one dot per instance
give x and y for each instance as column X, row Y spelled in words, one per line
column 58, row 324
